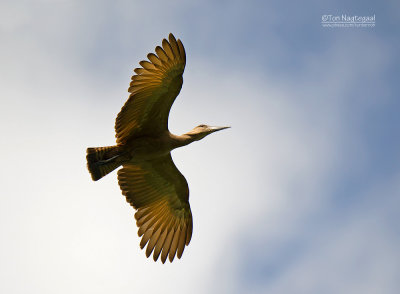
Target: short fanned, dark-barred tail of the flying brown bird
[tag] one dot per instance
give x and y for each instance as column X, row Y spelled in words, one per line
column 102, row 160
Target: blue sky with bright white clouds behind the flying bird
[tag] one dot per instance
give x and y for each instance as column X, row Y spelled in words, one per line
column 301, row 195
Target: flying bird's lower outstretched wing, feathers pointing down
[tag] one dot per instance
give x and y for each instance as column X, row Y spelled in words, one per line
column 160, row 194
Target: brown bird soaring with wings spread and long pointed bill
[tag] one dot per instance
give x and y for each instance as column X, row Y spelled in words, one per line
column 149, row 179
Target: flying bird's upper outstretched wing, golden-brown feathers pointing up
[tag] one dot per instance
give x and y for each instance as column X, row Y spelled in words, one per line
column 153, row 91
